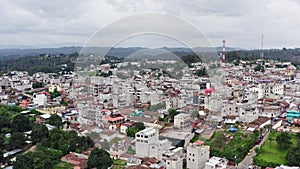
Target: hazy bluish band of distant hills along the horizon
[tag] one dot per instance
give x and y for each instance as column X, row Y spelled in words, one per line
column 284, row 54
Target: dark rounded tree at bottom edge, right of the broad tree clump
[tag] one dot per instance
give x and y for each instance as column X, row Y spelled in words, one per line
column 99, row 159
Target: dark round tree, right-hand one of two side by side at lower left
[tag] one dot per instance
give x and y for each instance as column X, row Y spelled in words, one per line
column 39, row 132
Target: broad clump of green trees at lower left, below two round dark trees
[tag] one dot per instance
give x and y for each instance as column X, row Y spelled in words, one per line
column 51, row 149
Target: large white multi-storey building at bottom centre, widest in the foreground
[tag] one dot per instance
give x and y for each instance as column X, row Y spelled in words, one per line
column 149, row 145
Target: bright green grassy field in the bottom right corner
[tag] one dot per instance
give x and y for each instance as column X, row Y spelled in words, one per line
column 270, row 151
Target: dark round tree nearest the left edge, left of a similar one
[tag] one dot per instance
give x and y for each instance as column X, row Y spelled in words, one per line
column 20, row 123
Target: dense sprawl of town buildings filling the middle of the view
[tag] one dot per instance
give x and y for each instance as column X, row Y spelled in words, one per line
column 109, row 105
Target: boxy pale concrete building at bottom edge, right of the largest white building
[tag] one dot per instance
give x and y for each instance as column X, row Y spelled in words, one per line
column 197, row 156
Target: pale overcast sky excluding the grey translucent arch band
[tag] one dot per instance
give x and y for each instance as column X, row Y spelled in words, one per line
column 58, row 23
